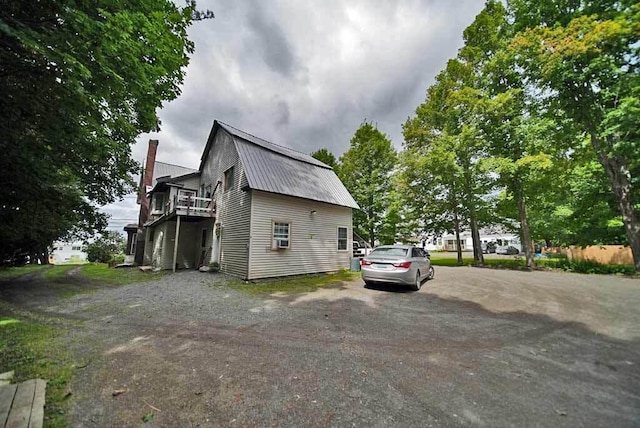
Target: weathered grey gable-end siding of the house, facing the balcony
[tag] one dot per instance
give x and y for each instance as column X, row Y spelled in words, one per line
column 233, row 207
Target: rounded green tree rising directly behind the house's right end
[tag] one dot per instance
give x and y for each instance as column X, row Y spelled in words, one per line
column 366, row 170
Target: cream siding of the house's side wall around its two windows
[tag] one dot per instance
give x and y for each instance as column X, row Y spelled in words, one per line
column 314, row 241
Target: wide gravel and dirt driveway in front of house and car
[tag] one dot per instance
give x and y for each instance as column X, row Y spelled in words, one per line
column 474, row 347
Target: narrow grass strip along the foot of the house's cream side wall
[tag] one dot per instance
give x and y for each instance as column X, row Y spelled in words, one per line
column 296, row 284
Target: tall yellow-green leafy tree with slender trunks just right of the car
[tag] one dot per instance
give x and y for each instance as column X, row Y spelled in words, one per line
column 447, row 127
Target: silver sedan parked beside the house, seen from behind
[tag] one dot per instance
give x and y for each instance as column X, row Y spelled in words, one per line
column 397, row 264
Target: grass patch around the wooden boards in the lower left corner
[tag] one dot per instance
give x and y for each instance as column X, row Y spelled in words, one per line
column 28, row 347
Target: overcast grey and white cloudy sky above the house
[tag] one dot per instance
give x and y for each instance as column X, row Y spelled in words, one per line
column 305, row 74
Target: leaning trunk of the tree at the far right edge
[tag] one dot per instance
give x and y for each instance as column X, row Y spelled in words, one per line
column 620, row 180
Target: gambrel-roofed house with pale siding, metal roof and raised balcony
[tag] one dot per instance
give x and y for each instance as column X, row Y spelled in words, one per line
column 255, row 208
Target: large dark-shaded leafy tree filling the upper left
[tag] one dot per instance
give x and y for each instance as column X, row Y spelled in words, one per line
column 79, row 82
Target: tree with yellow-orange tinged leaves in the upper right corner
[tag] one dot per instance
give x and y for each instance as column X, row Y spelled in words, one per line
column 584, row 59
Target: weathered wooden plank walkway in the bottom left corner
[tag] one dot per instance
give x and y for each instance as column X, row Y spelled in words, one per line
column 22, row 404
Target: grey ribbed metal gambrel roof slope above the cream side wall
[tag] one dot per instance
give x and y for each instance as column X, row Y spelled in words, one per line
column 277, row 169
